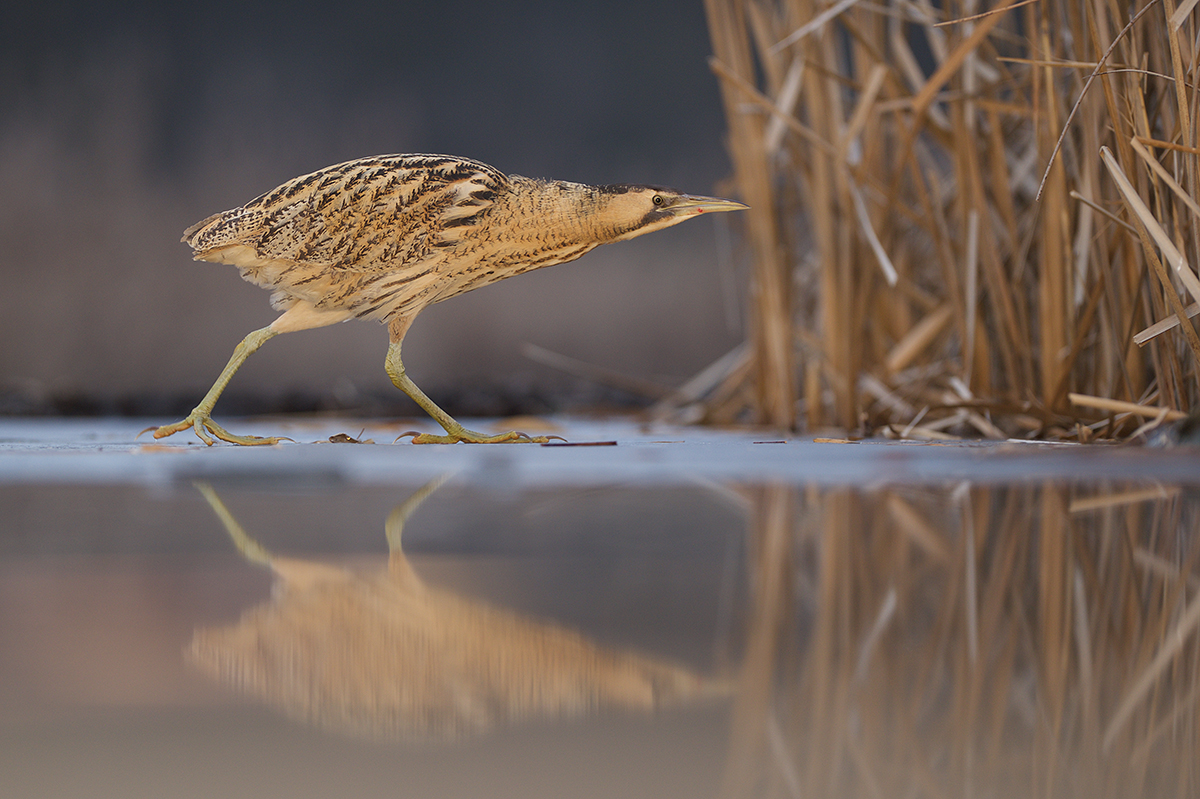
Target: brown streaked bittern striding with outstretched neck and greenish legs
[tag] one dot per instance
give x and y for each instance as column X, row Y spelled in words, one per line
column 385, row 237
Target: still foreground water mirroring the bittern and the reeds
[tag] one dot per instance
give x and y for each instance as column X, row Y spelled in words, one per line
column 707, row 640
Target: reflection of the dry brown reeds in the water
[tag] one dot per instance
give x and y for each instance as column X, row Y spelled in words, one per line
column 995, row 642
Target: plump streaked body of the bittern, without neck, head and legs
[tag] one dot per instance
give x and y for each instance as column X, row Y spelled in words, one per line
column 367, row 237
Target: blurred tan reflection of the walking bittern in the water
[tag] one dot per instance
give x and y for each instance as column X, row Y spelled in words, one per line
column 377, row 654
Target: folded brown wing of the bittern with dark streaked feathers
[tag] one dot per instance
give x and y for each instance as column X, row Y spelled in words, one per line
column 377, row 214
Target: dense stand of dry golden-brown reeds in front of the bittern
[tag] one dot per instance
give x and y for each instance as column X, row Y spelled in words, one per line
column 967, row 220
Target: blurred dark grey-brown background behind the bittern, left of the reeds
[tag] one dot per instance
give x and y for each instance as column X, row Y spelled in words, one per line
column 123, row 124
